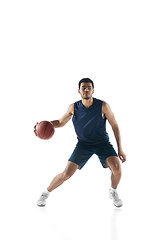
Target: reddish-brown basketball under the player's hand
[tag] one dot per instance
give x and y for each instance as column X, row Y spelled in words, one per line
column 44, row 130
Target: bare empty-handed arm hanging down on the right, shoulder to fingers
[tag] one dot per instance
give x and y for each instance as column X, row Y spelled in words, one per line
column 111, row 119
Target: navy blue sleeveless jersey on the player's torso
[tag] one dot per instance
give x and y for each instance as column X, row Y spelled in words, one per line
column 89, row 125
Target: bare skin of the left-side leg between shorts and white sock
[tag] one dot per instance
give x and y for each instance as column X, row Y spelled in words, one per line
column 65, row 175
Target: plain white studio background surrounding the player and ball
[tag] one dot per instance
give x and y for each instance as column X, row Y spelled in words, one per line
column 46, row 47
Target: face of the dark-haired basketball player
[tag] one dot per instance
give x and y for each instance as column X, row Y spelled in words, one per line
column 86, row 90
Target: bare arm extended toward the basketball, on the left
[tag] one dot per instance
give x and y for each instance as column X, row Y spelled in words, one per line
column 66, row 117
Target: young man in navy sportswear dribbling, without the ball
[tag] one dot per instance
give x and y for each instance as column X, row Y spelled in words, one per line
column 89, row 117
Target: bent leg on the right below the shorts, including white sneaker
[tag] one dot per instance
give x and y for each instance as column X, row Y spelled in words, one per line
column 114, row 164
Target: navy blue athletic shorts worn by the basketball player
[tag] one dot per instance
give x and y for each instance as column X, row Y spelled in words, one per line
column 83, row 151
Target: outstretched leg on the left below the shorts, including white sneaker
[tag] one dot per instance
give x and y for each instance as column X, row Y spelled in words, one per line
column 57, row 181
